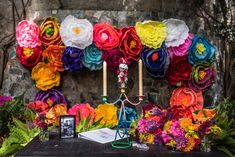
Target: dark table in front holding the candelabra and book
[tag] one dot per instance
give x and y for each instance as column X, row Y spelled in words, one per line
column 78, row 147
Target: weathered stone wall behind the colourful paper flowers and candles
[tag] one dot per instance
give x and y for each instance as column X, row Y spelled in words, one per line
column 86, row 86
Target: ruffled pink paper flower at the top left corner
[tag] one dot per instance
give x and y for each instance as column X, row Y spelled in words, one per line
column 27, row 34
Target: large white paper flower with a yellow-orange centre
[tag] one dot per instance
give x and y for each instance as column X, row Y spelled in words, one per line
column 76, row 32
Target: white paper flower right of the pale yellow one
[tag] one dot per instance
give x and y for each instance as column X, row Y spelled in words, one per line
column 177, row 32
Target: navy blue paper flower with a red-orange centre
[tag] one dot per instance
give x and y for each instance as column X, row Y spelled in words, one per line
column 156, row 61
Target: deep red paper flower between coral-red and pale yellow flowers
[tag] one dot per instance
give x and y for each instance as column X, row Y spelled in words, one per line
column 130, row 43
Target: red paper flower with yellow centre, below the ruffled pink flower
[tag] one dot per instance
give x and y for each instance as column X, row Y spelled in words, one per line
column 29, row 57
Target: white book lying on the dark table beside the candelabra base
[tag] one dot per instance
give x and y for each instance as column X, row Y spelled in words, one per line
column 104, row 135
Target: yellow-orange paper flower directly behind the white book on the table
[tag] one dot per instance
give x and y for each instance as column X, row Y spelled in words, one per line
column 108, row 113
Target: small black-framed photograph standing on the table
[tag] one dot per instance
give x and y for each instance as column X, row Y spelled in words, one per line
column 67, row 126
